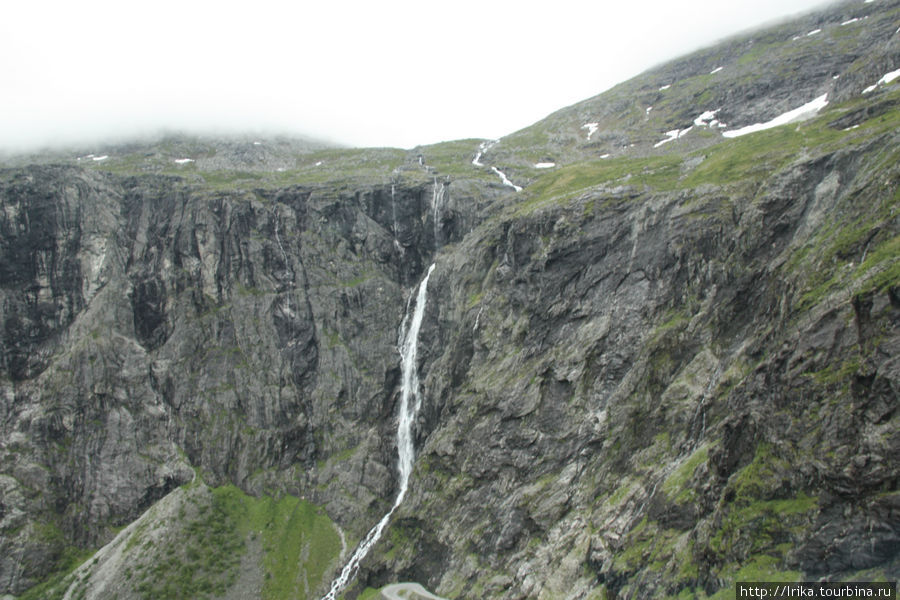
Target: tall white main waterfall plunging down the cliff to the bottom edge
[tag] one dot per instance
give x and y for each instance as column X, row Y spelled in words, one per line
column 409, row 407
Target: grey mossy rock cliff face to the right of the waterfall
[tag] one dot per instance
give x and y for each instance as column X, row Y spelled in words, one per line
column 639, row 389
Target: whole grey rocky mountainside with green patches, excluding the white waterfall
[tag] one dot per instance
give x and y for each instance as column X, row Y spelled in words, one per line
column 648, row 374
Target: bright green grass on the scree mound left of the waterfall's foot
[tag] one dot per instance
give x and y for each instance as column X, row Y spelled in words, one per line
column 200, row 552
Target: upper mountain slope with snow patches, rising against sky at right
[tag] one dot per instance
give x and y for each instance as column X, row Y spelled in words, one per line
column 748, row 79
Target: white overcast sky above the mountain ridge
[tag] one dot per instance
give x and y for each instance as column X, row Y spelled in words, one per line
column 376, row 73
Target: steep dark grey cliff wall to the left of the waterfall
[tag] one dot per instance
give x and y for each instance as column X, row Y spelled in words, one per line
column 153, row 329
